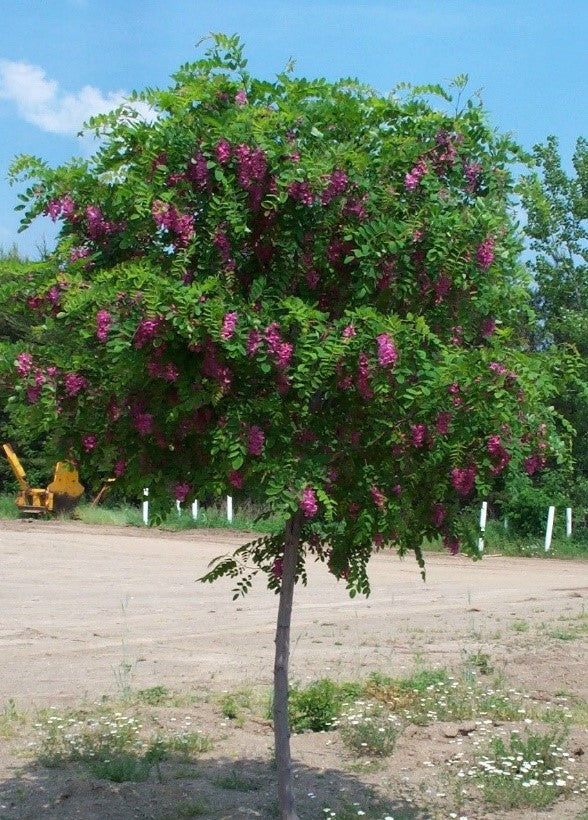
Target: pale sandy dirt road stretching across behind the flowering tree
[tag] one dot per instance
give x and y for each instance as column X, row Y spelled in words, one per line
column 84, row 610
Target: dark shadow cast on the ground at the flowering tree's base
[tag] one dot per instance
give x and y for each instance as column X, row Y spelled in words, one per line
column 215, row 788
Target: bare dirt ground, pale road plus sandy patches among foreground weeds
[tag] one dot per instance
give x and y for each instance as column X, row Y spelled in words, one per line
column 86, row 612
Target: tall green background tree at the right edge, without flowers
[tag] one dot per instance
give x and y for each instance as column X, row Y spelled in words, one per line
column 557, row 225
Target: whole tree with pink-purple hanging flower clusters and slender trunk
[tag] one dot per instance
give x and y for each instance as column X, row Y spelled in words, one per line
column 301, row 289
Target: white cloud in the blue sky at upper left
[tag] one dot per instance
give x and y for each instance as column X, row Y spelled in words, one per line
column 40, row 101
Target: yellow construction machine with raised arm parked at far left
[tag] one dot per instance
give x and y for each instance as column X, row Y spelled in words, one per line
column 61, row 495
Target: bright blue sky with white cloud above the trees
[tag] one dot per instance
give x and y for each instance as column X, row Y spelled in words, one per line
column 64, row 60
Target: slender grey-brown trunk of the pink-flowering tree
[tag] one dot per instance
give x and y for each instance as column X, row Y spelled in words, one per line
column 286, row 801
